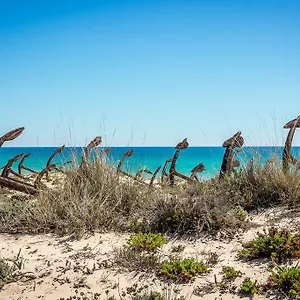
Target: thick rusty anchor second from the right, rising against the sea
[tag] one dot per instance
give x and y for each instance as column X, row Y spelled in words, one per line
column 229, row 162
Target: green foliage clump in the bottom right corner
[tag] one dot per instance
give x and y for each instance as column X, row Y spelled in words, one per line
column 286, row 279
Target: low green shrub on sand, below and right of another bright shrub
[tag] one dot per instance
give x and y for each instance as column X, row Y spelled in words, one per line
column 183, row 270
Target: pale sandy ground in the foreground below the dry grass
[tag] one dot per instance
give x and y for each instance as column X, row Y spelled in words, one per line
column 56, row 267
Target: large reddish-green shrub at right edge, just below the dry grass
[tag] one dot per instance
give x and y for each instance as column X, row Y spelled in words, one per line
column 277, row 244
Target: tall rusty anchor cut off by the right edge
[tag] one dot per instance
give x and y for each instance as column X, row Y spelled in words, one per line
column 287, row 157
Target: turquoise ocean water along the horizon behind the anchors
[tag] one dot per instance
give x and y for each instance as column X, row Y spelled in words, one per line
column 147, row 157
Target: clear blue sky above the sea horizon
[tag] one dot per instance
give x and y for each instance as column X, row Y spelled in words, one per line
column 149, row 72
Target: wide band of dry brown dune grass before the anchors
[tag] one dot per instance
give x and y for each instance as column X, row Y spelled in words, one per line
column 95, row 198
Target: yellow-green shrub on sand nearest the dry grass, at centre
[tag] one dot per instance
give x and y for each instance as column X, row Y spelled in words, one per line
column 146, row 241
